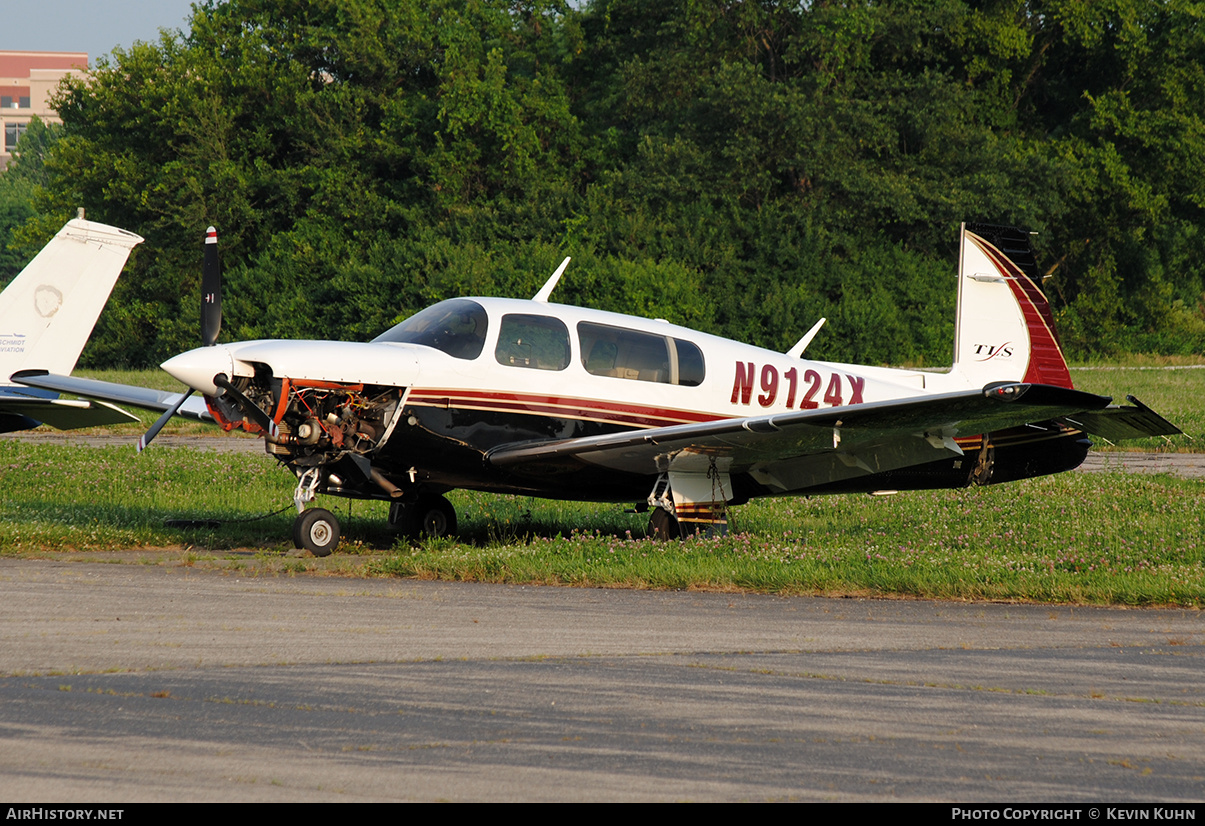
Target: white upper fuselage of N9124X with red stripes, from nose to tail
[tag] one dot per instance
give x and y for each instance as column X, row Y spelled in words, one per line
column 738, row 380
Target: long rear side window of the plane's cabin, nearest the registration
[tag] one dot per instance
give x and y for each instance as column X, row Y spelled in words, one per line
column 624, row 354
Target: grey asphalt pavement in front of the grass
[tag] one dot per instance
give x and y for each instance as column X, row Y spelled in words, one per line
column 125, row 683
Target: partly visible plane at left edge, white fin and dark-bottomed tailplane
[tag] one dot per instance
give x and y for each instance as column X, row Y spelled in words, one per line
column 46, row 317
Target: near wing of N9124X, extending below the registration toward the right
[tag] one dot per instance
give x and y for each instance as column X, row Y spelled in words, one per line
column 815, row 447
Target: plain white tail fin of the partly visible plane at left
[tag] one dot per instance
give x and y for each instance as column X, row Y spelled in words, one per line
column 49, row 311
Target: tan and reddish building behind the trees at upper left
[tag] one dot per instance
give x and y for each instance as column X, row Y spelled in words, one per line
column 27, row 81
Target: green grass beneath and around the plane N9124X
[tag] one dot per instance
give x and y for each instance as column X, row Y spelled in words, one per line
column 1077, row 538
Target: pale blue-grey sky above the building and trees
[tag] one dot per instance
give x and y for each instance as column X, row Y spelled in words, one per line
column 87, row 26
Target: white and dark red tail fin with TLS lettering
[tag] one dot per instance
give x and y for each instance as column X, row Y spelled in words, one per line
column 1006, row 330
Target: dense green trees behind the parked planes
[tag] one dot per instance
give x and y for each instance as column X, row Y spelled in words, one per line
column 739, row 167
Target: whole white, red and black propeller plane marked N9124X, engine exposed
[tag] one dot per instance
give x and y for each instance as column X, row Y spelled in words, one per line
column 561, row 402
